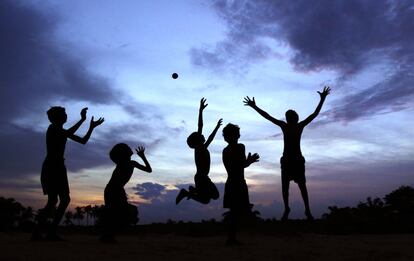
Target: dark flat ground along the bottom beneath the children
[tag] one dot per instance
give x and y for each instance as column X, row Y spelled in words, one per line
column 285, row 245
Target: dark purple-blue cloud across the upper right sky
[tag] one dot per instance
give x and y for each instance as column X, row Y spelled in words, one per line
column 346, row 36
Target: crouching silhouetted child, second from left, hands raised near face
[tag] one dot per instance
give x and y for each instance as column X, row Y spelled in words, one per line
column 118, row 211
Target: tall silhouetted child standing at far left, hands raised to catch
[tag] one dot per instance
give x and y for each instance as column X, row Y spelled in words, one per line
column 54, row 178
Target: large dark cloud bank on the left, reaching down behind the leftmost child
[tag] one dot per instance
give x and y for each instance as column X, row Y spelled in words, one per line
column 36, row 70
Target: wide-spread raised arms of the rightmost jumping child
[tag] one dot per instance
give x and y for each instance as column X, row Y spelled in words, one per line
column 252, row 103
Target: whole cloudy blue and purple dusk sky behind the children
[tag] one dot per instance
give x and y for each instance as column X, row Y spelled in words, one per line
column 117, row 57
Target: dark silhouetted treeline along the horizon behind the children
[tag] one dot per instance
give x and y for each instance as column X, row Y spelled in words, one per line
column 395, row 210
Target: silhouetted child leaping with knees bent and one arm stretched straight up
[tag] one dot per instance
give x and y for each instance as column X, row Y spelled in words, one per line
column 204, row 190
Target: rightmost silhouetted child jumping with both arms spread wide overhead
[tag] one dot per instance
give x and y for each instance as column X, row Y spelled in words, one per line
column 292, row 162
